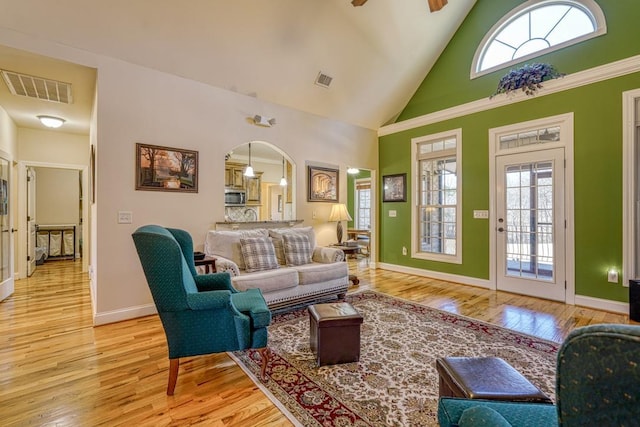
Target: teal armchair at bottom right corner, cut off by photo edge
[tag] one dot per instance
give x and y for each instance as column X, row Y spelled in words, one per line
column 597, row 384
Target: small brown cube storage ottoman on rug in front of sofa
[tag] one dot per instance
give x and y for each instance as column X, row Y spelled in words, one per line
column 335, row 333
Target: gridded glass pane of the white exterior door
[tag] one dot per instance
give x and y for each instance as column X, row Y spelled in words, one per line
column 529, row 221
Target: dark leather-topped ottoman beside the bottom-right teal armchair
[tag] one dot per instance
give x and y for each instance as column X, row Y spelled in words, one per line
column 485, row 378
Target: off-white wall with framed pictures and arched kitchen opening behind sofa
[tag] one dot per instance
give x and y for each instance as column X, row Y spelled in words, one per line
column 136, row 104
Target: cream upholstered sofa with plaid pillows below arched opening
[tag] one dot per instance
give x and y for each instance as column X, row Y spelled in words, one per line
column 286, row 280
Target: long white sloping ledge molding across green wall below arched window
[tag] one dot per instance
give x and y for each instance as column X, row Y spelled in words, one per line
column 581, row 78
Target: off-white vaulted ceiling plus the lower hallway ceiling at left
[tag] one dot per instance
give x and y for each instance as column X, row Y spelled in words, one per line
column 377, row 54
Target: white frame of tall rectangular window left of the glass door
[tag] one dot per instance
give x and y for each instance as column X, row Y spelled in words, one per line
column 415, row 198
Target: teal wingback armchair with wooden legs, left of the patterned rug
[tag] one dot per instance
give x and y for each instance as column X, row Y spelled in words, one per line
column 200, row 314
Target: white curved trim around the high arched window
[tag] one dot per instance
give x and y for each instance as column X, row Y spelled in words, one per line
column 591, row 5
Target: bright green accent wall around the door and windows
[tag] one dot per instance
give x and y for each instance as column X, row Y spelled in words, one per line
column 598, row 127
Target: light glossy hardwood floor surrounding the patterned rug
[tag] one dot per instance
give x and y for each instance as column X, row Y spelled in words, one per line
column 57, row 369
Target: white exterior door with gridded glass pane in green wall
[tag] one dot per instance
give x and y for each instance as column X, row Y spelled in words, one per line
column 530, row 229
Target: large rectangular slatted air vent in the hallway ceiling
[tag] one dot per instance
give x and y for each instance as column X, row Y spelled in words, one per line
column 38, row 87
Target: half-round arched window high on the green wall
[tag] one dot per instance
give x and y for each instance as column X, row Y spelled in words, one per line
column 537, row 27
